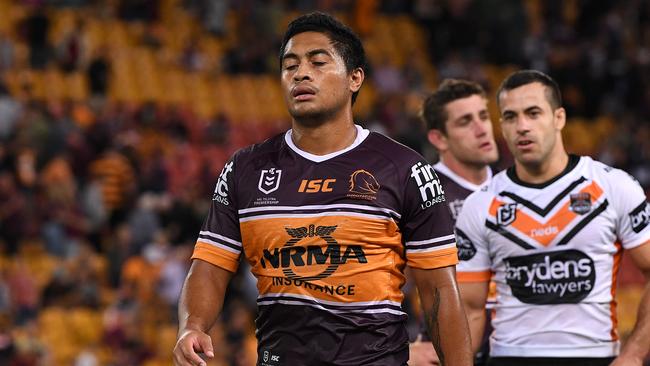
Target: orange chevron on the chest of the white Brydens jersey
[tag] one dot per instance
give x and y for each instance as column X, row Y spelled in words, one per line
column 541, row 232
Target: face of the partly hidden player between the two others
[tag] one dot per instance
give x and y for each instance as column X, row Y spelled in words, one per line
column 469, row 135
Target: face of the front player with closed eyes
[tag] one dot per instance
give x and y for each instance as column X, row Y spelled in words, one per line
column 315, row 81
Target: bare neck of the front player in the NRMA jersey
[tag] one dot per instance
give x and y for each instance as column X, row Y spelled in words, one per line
column 325, row 138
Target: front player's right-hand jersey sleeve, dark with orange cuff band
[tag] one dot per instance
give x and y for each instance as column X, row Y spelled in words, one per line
column 427, row 226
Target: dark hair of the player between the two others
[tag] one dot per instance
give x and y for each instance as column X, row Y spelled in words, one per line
column 434, row 113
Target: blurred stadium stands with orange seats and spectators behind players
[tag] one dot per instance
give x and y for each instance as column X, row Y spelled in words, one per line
column 117, row 116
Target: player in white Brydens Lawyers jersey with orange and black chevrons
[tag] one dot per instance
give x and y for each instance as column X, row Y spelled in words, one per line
column 552, row 229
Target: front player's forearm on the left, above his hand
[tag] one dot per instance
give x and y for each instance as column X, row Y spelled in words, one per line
column 202, row 296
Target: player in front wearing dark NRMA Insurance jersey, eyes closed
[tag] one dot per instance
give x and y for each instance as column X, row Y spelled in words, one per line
column 328, row 215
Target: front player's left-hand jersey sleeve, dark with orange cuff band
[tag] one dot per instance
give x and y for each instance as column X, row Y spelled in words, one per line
column 219, row 241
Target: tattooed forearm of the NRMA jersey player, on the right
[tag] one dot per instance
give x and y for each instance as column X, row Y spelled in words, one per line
column 447, row 326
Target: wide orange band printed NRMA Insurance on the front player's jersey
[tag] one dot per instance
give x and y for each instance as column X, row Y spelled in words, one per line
column 330, row 258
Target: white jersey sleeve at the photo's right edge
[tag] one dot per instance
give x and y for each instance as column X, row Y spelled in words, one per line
column 632, row 208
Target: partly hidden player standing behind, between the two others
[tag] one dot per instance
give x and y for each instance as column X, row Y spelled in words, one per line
column 459, row 127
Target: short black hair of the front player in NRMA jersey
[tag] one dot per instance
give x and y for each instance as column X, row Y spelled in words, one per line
column 345, row 41
